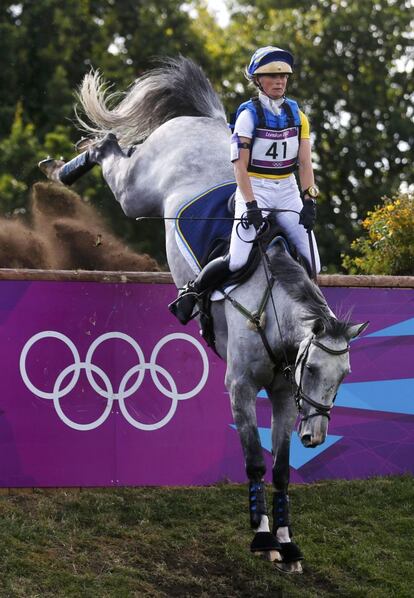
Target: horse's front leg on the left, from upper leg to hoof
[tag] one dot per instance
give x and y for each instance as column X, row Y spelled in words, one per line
column 243, row 401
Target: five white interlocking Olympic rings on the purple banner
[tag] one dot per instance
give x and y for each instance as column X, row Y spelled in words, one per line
column 107, row 391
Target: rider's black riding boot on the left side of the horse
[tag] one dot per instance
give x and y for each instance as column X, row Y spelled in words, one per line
column 210, row 277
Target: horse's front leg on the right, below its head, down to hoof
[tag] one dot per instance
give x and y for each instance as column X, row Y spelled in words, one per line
column 283, row 419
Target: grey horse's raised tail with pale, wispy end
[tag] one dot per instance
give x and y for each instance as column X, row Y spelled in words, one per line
column 178, row 87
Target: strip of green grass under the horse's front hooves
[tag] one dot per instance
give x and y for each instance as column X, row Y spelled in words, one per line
column 357, row 538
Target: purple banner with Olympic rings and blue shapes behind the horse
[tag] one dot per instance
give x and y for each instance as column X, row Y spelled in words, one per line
column 101, row 386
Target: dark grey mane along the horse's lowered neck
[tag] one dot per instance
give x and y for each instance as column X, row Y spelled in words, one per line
column 296, row 282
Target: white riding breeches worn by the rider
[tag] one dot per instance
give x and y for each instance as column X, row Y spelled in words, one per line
column 271, row 193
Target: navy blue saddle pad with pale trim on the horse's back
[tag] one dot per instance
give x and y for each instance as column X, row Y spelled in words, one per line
column 196, row 232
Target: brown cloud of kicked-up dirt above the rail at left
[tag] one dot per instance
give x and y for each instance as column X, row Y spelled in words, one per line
column 65, row 233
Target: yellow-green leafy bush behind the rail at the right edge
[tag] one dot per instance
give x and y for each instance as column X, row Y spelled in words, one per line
column 387, row 247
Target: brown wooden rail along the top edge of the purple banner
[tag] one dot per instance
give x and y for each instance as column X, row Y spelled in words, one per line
column 324, row 280
